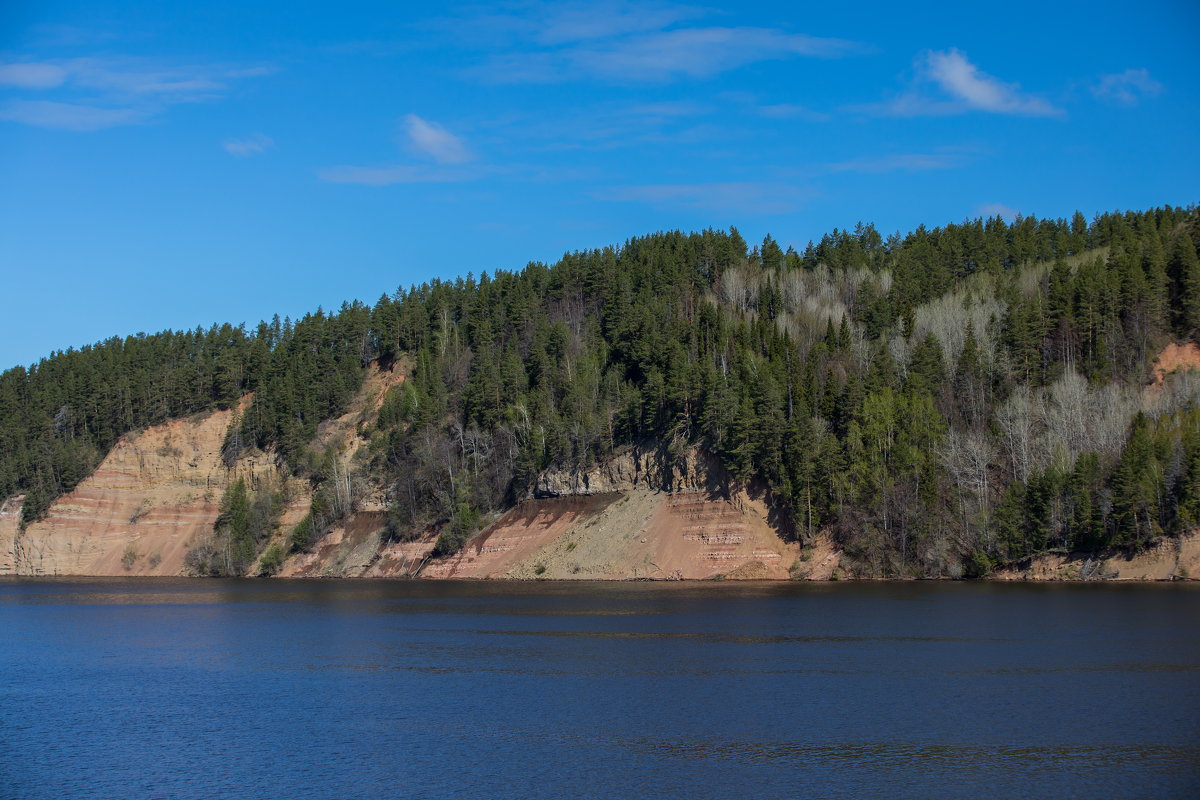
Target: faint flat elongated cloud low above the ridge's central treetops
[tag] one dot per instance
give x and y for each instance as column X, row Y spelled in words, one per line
column 747, row 197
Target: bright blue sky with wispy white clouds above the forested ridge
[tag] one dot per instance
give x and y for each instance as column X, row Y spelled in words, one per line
column 173, row 165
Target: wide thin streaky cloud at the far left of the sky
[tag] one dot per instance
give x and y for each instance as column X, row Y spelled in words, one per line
column 91, row 94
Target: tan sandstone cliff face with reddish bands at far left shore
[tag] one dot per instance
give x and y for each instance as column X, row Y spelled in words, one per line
column 143, row 508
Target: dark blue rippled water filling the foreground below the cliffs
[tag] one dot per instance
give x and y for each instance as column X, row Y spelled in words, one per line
column 256, row 689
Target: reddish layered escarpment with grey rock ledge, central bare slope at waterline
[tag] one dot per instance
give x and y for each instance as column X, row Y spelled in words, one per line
column 644, row 515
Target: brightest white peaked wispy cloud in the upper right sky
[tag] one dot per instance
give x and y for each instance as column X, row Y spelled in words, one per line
column 962, row 88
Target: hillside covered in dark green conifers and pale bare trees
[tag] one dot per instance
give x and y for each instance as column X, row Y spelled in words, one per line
column 941, row 402
